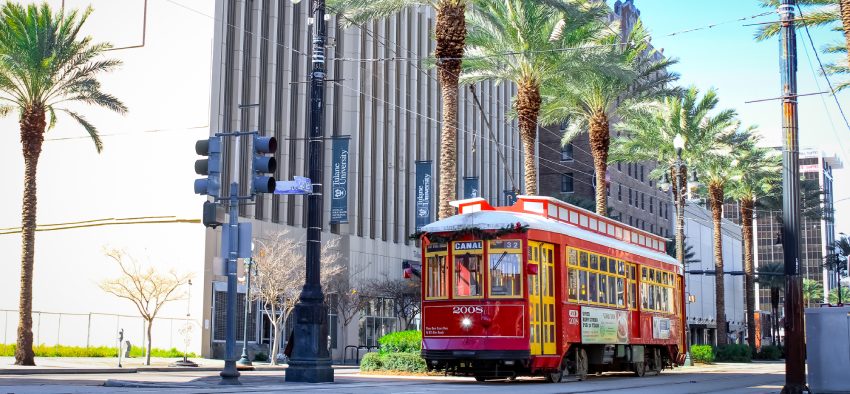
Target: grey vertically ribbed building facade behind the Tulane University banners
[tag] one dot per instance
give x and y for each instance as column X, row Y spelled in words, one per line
column 381, row 93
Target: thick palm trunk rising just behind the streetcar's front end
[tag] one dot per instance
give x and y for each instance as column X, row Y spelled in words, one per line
column 450, row 36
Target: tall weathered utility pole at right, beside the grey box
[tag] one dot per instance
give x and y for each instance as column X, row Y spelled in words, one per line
column 795, row 364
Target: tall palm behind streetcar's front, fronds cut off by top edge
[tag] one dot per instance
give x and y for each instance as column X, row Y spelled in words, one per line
column 450, row 34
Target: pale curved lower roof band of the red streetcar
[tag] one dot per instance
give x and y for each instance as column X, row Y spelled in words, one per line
column 497, row 219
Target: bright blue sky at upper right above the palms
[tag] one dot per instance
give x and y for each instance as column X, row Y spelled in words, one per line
column 726, row 57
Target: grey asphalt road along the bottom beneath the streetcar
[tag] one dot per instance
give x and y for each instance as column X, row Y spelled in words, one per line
column 725, row 378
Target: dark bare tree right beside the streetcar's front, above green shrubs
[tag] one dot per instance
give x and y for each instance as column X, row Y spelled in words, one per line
column 406, row 296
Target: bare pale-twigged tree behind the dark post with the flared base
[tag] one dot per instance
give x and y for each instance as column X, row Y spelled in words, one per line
column 280, row 277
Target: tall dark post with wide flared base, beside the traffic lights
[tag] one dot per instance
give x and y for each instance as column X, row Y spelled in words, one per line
column 310, row 361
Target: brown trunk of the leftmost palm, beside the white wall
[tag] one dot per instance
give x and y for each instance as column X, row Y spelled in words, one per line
column 32, row 137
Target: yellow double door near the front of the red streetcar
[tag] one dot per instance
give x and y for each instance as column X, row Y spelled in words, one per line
column 541, row 298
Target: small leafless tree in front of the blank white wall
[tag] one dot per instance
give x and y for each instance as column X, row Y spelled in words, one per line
column 147, row 288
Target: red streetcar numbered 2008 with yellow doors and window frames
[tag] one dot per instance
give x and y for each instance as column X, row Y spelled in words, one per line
column 544, row 288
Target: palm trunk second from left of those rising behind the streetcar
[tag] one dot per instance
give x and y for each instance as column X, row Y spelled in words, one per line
column 528, row 108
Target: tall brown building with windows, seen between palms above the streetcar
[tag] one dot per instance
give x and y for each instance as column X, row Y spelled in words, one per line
column 567, row 172
